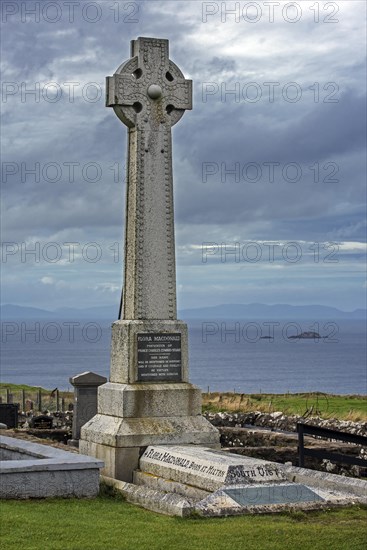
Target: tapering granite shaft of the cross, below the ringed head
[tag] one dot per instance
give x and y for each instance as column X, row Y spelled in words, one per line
column 149, row 271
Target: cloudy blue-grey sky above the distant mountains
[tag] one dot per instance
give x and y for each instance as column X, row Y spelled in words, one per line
column 269, row 166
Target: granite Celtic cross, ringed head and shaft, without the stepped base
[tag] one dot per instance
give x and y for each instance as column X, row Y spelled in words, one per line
column 149, row 94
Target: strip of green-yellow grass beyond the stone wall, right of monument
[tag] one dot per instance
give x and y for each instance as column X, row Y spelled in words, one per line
column 347, row 407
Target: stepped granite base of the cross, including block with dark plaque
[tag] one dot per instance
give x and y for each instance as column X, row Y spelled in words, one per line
column 135, row 411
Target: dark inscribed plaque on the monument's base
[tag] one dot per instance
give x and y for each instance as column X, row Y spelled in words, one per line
column 159, row 357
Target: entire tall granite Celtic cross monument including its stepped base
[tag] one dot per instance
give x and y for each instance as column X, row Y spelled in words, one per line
column 148, row 399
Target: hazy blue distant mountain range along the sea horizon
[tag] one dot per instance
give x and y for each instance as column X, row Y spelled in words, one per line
column 223, row 311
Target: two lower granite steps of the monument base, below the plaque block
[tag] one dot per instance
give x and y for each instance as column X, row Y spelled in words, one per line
column 133, row 416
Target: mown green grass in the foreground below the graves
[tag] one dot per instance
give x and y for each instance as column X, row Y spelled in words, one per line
column 111, row 523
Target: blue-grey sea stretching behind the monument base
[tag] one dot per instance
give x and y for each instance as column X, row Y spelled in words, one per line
column 224, row 356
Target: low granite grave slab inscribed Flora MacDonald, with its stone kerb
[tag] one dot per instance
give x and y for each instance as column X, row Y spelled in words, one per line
column 180, row 470
